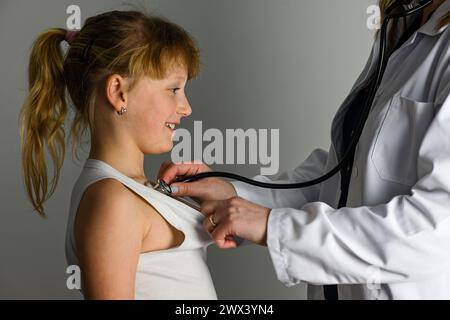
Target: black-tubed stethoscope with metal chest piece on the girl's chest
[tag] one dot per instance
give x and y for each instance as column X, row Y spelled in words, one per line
column 393, row 12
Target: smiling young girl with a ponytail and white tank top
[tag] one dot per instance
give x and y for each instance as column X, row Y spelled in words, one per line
column 125, row 73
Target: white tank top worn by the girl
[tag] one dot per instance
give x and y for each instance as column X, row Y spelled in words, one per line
column 177, row 273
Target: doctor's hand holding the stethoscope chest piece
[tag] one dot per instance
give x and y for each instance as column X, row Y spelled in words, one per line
column 201, row 190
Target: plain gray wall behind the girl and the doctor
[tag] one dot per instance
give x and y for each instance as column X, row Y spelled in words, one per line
column 285, row 64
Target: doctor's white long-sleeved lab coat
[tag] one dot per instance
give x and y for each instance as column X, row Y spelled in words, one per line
column 392, row 241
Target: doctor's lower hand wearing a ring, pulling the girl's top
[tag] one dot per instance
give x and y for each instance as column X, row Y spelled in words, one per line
column 227, row 219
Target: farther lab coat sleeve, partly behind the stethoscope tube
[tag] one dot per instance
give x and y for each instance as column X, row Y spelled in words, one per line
column 313, row 167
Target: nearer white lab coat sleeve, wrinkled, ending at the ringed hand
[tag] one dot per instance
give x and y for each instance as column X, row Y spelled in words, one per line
column 406, row 239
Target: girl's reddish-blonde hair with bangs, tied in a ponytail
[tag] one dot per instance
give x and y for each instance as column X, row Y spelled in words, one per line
column 128, row 43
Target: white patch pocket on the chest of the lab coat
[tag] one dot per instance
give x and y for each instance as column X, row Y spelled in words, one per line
column 399, row 137
